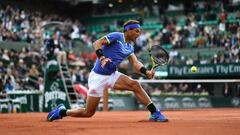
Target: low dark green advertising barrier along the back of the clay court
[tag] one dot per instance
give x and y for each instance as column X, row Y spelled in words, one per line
column 31, row 101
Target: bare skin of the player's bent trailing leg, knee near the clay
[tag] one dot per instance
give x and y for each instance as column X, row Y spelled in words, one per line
column 89, row 111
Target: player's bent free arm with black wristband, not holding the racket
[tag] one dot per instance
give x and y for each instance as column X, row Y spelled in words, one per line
column 97, row 45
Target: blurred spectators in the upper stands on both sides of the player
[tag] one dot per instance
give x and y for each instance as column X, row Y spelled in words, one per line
column 24, row 26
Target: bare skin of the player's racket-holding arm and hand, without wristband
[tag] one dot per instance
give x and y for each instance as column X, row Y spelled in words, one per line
column 137, row 65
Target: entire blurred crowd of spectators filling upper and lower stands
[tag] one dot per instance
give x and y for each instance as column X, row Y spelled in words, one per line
column 21, row 69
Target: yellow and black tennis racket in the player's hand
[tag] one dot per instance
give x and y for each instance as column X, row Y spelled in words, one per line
column 158, row 56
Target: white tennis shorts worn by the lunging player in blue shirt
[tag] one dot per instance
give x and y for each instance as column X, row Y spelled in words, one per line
column 97, row 83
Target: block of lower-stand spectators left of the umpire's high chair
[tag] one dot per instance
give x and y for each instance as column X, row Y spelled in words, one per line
column 20, row 69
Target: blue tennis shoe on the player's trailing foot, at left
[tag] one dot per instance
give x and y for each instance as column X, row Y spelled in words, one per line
column 55, row 113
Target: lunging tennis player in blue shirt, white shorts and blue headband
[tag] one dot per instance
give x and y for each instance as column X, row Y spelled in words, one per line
column 111, row 50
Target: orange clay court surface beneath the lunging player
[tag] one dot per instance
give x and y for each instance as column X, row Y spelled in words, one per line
column 186, row 122
